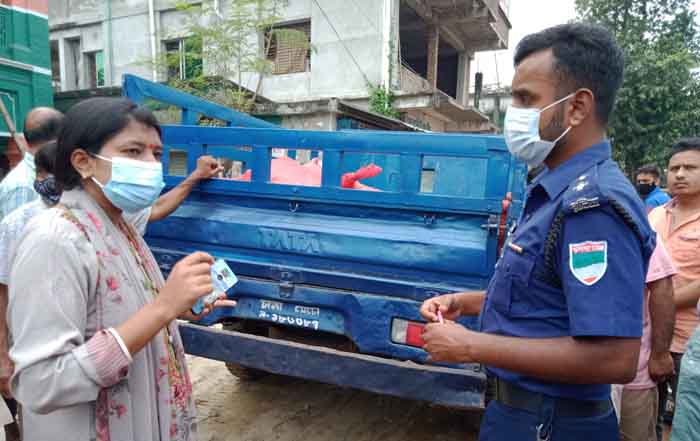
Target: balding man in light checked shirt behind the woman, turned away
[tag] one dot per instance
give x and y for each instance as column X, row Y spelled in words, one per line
column 41, row 126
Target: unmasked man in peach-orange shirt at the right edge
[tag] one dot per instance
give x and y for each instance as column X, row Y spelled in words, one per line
column 678, row 225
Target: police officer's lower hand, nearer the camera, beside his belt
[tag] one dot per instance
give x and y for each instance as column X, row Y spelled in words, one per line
column 448, row 342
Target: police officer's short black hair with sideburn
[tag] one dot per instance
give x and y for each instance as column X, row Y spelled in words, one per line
column 585, row 56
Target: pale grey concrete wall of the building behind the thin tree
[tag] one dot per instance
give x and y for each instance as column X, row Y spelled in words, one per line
column 333, row 72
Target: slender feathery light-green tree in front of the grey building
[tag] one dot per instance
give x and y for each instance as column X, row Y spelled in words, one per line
column 234, row 43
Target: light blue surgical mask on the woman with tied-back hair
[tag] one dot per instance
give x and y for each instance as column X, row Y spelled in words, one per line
column 135, row 185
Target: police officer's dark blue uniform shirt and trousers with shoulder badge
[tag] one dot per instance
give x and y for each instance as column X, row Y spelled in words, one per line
column 575, row 266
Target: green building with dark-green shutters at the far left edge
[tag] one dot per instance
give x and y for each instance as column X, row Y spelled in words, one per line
column 25, row 70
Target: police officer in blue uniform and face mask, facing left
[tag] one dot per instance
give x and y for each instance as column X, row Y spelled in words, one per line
column 562, row 317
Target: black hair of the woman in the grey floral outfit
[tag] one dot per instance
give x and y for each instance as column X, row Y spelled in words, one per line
column 89, row 125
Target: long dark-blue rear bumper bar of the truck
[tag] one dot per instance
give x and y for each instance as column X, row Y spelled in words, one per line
column 451, row 387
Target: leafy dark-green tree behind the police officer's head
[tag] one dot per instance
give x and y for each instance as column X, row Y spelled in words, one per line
column 660, row 97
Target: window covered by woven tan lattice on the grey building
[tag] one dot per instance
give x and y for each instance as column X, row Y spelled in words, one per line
column 289, row 48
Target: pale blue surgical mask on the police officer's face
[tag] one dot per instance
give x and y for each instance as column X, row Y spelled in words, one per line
column 522, row 133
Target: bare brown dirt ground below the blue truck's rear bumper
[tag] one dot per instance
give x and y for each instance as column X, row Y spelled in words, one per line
column 275, row 409
